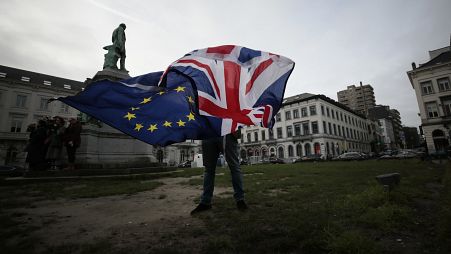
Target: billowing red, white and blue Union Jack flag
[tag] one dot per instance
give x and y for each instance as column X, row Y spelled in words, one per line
column 235, row 85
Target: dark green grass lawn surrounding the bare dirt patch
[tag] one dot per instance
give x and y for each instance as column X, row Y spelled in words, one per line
column 331, row 207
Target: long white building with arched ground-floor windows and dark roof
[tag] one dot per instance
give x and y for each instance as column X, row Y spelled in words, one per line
column 308, row 124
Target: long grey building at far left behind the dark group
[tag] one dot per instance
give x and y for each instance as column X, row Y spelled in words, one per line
column 24, row 99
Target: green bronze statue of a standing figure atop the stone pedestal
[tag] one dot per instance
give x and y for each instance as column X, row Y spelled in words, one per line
column 117, row 50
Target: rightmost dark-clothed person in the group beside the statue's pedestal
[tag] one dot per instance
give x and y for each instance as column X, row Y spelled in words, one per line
column 72, row 141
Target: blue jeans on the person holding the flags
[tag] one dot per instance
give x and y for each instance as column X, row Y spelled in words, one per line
column 211, row 149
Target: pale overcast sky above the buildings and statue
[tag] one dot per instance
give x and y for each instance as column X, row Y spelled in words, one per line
column 335, row 43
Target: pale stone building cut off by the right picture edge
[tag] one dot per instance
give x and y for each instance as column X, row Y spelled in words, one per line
column 431, row 82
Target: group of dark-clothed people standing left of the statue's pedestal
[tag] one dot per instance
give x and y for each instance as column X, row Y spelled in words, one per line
column 50, row 141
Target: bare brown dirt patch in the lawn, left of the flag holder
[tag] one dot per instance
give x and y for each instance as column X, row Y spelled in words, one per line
column 136, row 221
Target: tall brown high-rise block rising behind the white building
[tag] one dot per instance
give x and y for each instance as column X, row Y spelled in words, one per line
column 358, row 98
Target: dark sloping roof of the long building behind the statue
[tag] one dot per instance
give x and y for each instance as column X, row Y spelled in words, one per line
column 11, row 73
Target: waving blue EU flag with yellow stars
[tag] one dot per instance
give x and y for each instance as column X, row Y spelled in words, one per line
column 139, row 108
